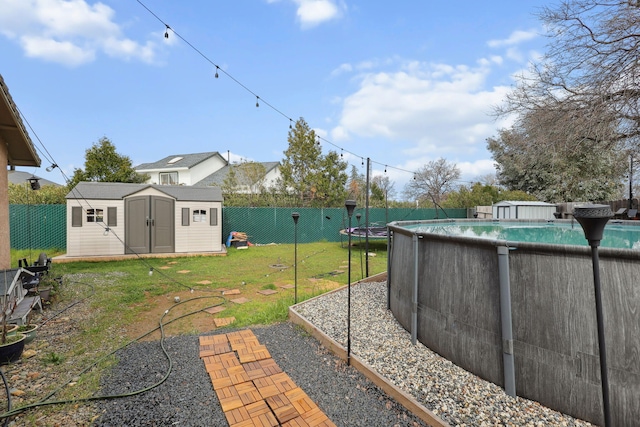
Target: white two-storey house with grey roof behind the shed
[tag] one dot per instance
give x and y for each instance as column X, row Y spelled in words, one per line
column 182, row 169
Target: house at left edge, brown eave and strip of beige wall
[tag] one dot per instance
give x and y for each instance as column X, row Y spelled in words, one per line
column 16, row 149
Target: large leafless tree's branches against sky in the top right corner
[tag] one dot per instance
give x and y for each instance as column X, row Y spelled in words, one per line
column 590, row 74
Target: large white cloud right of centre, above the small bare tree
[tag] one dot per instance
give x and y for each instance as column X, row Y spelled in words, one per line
column 438, row 109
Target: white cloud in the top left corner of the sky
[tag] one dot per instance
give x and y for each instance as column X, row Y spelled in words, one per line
column 70, row 32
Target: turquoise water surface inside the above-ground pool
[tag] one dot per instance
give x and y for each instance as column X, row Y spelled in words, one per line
column 616, row 235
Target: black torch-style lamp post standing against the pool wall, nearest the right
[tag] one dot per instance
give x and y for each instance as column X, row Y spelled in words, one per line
column 593, row 219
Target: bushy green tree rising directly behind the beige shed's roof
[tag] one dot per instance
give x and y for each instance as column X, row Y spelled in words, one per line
column 104, row 164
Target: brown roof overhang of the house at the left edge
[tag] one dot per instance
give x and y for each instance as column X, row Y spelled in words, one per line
column 13, row 133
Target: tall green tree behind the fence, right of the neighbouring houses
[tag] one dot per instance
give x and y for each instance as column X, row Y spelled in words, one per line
column 314, row 179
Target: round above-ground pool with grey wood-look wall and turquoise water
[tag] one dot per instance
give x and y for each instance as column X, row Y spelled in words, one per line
column 514, row 302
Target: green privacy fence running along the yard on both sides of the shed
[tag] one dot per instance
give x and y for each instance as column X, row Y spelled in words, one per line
column 45, row 226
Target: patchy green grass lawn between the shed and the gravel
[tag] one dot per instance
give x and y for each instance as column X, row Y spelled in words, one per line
column 122, row 302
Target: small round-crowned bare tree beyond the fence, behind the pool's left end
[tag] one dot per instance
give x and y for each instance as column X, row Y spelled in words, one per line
column 433, row 181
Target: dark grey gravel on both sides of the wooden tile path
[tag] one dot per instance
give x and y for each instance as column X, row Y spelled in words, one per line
column 187, row 398
